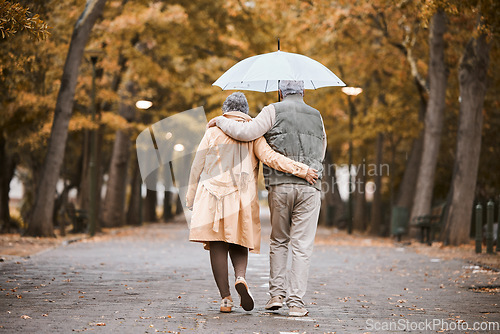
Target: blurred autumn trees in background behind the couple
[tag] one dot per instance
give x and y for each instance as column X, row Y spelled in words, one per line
column 170, row 52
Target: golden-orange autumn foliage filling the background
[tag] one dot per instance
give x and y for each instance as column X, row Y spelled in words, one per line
column 171, row 52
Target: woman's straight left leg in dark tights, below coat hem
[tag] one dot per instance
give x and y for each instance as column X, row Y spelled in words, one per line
column 218, row 259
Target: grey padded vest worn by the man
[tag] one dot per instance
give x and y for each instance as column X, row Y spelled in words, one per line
column 298, row 134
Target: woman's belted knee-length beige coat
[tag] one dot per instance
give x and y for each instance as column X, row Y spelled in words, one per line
column 223, row 186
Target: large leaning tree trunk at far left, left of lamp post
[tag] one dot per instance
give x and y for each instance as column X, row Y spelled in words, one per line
column 40, row 219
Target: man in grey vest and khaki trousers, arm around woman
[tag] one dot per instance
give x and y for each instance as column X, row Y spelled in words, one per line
column 295, row 130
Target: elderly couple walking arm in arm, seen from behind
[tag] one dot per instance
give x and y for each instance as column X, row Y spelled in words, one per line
column 290, row 140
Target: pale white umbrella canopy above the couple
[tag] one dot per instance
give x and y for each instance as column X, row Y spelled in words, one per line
column 261, row 73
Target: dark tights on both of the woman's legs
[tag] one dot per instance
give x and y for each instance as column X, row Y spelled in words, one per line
column 218, row 259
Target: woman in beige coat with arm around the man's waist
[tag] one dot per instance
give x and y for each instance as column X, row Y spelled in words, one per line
column 222, row 193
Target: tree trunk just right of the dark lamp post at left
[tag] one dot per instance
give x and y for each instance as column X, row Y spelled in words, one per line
column 113, row 212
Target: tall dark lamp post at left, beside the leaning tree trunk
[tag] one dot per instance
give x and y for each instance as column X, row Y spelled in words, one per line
column 94, row 55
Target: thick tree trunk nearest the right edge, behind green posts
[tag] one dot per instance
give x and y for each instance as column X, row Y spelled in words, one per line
column 472, row 79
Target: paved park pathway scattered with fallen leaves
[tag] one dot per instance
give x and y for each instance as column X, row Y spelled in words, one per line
column 151, row 279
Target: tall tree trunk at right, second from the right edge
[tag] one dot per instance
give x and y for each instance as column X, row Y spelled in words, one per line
column 433, row 123
